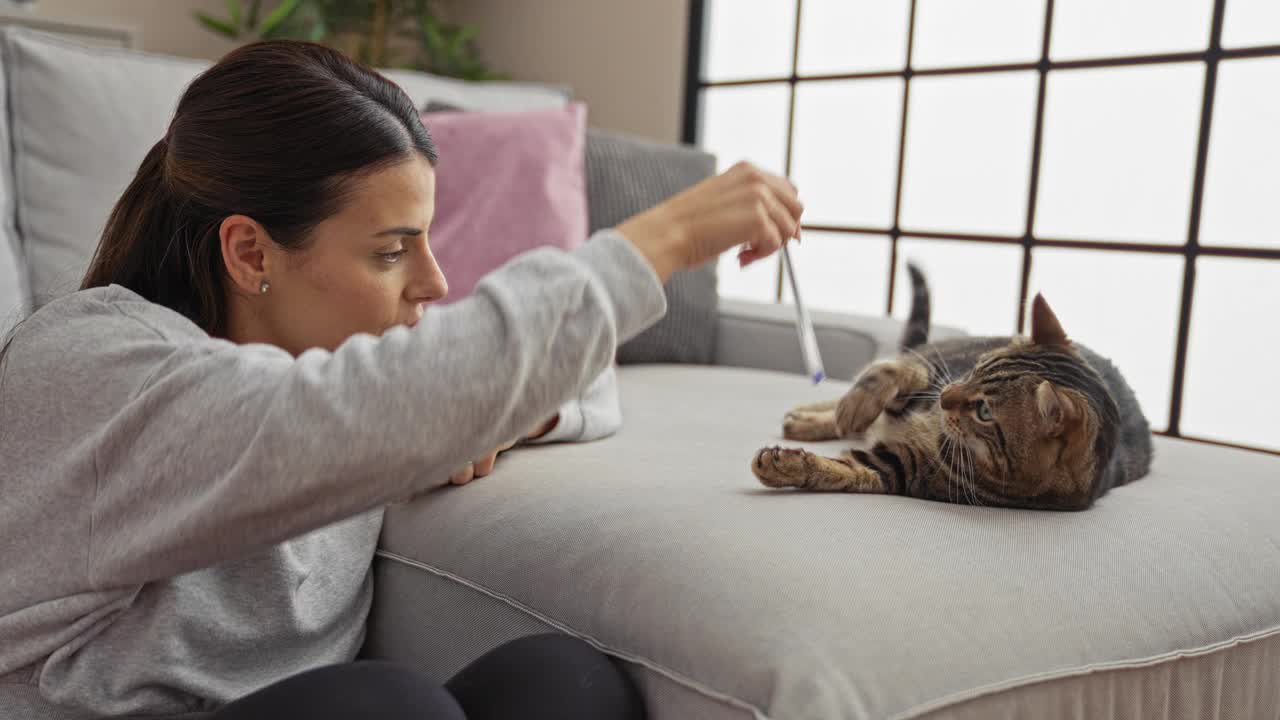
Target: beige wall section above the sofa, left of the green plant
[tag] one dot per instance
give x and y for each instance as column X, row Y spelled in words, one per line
column 161, row 26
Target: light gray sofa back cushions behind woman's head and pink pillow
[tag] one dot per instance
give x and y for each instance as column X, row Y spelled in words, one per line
column 81, row 121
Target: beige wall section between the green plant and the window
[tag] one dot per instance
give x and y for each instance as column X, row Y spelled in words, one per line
column 625, row 58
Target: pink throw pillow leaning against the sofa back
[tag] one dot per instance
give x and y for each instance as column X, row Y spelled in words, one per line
column 506, row 184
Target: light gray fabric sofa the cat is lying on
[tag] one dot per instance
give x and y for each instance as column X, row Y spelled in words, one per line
column 723, row 599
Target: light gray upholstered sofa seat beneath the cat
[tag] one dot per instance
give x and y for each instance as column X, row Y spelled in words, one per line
column 661, row 546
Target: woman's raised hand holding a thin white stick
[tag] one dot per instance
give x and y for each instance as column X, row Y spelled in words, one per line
column 742, row 207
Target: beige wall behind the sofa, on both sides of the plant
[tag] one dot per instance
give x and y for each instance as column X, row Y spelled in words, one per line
column 625, row 58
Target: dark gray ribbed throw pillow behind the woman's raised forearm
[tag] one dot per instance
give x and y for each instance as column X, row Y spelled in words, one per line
column 627, row 176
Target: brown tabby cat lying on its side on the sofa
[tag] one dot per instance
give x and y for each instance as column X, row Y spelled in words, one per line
column 1040, row 423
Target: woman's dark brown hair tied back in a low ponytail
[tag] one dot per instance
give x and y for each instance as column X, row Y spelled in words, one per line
column 276, row 131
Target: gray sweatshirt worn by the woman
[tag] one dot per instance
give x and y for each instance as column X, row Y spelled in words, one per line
column 185, row 521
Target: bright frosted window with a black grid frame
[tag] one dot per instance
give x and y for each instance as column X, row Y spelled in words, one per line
column 1121, row 156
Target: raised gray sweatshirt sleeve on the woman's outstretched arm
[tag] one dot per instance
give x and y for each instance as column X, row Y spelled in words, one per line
column 228, row 449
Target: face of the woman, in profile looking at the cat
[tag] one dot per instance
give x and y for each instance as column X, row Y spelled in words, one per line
column 364, row 271
